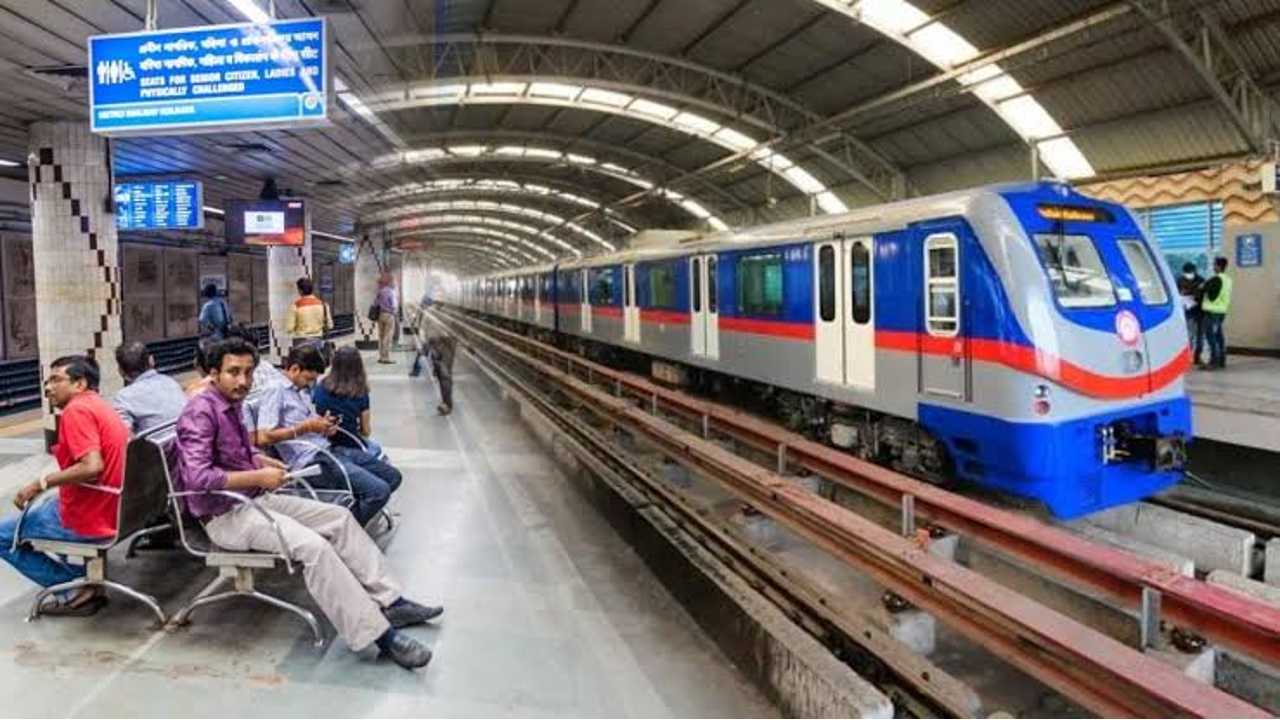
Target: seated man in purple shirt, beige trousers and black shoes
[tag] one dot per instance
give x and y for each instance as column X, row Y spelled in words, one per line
column 344, row 569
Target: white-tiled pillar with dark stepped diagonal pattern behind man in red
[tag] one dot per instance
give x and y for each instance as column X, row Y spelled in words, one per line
column 74, row 250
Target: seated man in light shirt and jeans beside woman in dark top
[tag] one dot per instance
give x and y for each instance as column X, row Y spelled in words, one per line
column 286, row 414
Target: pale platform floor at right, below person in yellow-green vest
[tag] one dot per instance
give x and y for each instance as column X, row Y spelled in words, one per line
column 1238, row 405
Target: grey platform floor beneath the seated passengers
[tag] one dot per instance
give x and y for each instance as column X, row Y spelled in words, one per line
column 547, row 610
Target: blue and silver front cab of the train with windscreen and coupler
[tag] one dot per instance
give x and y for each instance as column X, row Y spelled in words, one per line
column 1078, row 348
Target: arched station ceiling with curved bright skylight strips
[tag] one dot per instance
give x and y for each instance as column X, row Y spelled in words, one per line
column 694, row 113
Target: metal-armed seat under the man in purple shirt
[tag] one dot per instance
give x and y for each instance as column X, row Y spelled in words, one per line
column 237, row 568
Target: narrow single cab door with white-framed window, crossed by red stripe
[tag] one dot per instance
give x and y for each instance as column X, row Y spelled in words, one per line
column 944, row 352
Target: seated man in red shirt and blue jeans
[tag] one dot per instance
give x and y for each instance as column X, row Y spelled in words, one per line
column 90, row 453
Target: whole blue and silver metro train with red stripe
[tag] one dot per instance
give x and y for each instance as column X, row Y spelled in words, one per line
column 1022, row 338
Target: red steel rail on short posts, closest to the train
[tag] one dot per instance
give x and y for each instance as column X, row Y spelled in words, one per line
column 1223, row 617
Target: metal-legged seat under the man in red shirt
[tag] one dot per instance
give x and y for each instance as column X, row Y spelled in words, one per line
column 143, row 498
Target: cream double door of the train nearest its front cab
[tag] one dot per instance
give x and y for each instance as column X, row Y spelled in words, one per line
column 844, row 315
